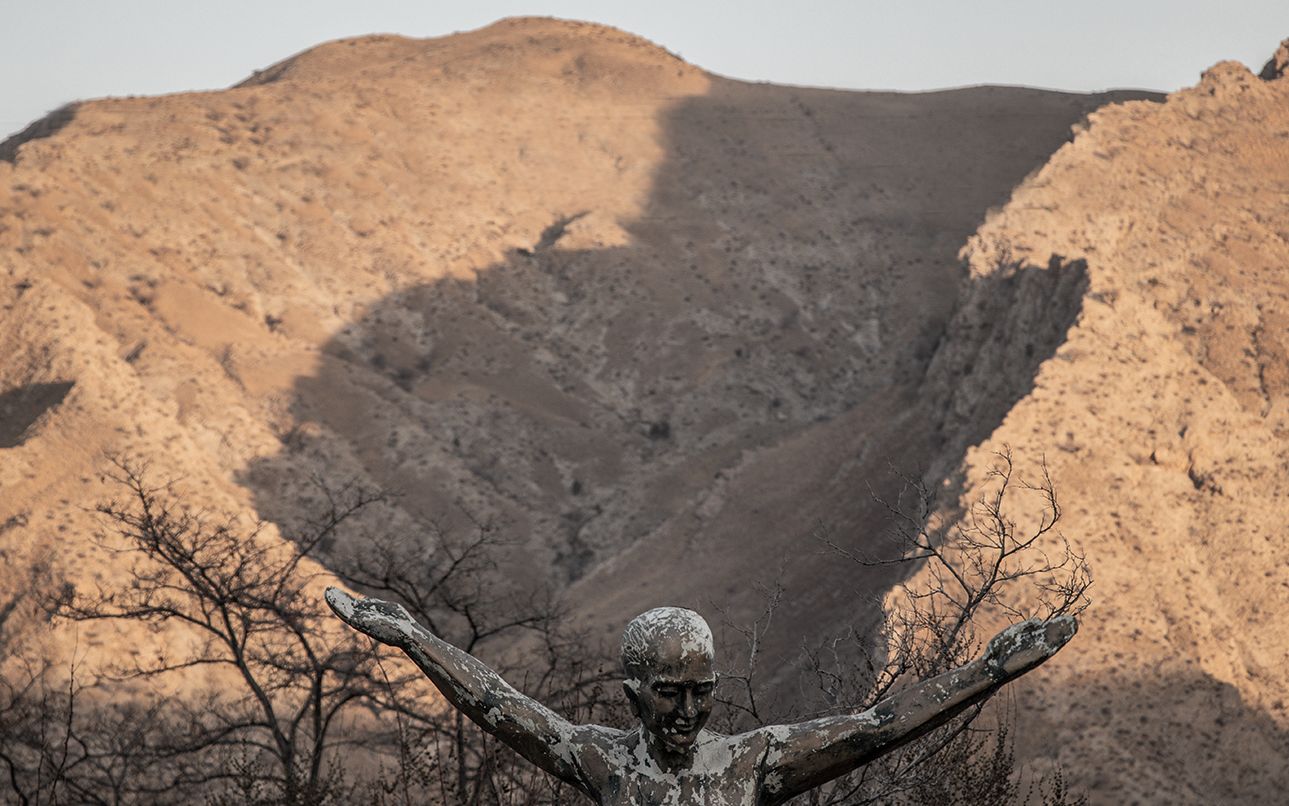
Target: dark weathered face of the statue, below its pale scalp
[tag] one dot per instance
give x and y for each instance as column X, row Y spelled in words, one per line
column 675, row 701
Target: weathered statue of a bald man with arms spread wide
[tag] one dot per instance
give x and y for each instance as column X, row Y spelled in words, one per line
column 671, row 760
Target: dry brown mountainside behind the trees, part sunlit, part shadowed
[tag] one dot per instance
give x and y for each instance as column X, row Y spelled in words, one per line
column 658, row 324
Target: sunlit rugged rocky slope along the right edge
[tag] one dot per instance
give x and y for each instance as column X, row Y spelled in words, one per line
column 1163, row 417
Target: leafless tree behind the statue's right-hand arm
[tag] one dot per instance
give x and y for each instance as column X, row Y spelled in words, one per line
column 957, row 568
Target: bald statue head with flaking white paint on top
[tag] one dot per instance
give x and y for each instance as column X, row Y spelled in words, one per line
column 668, row 661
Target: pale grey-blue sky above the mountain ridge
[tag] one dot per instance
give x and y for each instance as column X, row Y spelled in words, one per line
column 59, row 51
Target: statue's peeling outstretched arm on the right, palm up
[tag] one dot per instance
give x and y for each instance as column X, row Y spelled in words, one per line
column 810, row 754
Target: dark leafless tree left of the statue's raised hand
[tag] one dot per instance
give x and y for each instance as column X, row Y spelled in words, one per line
column 251, row 603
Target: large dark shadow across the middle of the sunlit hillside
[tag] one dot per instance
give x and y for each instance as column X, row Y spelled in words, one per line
column 668, row 421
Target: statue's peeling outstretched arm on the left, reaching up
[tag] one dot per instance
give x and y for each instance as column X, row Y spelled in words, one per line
column 528, row 727
